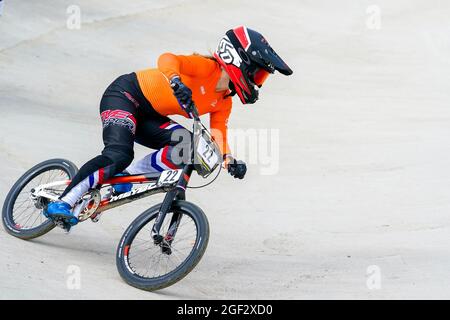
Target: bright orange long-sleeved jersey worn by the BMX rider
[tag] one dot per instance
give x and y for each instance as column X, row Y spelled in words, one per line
column 198, row 73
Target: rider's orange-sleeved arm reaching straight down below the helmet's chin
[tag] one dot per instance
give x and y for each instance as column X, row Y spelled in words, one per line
column 219, row 123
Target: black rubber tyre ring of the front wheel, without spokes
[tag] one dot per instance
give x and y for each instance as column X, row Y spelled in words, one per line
column 185, row 267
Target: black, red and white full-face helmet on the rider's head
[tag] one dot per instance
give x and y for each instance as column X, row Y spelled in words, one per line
column 248, row 59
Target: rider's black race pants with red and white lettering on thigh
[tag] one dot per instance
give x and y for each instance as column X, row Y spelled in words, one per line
column 127, row 116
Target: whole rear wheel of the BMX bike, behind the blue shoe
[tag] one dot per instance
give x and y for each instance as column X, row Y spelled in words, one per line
column 21, row 215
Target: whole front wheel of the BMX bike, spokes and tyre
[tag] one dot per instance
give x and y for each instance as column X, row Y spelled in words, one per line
column 146, row 265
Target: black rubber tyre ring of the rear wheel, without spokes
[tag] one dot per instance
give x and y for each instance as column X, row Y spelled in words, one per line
column 7, row 212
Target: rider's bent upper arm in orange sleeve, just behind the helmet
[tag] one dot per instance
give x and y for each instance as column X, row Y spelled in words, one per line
column 193, row 65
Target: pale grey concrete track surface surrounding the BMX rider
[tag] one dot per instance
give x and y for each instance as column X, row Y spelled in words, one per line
column 363, row 185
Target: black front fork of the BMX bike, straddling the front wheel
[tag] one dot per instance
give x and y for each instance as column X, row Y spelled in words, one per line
column 177, row 193
